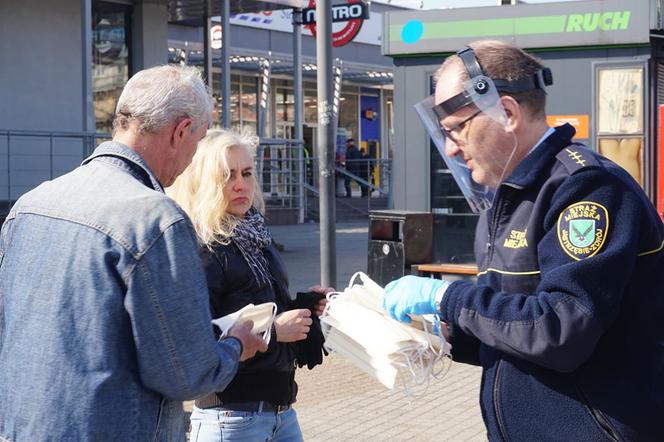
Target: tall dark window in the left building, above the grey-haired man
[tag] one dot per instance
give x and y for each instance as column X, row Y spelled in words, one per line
column 110, row 59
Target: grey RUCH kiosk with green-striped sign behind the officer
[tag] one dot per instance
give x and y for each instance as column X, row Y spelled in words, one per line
column 607, row 59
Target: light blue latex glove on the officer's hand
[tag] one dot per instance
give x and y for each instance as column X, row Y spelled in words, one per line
column 413, row 295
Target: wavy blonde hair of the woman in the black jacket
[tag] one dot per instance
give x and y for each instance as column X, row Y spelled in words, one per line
column 199, row 189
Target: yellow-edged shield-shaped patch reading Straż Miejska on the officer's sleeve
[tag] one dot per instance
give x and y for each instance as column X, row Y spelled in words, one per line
column 582, row 229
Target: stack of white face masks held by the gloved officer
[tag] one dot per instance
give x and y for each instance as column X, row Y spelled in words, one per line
column 356, row 326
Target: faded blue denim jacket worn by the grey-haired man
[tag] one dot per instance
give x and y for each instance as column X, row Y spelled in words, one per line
column 104, row 315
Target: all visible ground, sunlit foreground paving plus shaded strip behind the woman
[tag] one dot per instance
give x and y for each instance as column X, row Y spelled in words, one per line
column 338, row 402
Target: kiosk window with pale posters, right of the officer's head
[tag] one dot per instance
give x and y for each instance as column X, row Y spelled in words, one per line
column 620, row 117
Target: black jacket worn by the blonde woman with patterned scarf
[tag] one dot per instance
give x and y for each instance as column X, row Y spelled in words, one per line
column 268, row 376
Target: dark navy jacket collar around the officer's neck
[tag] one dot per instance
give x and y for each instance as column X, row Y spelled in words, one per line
column 528, row 170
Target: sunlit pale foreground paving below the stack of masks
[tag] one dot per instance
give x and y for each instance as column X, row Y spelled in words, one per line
column 338, row 402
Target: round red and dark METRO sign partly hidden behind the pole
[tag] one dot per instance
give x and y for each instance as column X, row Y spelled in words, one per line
column 353, row 14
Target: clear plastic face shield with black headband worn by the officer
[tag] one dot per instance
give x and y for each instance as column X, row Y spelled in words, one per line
column 483, row 95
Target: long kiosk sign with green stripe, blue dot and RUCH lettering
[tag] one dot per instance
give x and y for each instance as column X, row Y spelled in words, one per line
column 591, row 23
